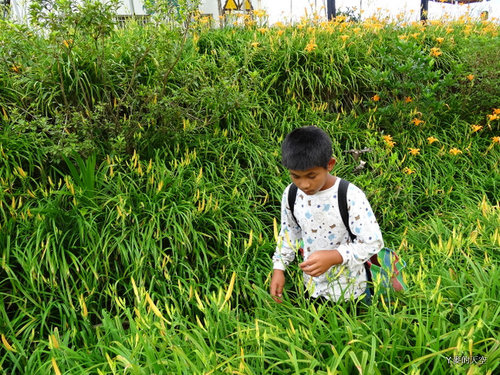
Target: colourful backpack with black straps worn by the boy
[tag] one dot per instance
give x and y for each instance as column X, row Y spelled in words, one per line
column 385, row 266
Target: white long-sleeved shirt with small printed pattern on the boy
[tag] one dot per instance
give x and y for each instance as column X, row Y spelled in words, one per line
column 320, row 227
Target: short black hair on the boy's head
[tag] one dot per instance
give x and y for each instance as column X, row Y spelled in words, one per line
column 306, row 148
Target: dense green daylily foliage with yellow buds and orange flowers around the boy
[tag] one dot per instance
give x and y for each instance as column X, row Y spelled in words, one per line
column 140, row 181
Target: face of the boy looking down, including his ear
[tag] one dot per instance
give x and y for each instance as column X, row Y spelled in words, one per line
column 312, row 180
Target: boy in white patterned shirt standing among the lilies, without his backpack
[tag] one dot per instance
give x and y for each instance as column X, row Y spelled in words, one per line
column 333, row 265
